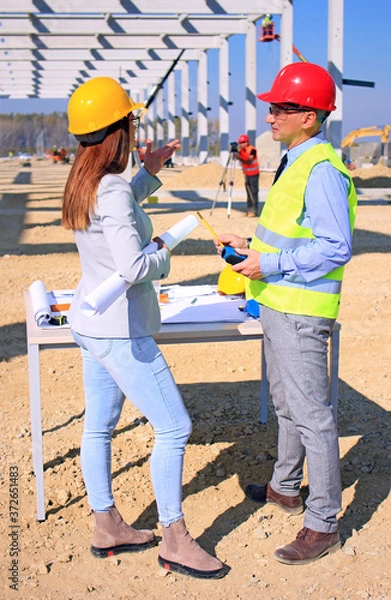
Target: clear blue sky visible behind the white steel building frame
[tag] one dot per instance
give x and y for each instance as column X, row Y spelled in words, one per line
column 367, row 52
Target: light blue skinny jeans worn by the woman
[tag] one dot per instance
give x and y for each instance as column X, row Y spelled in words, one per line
column 134, row 368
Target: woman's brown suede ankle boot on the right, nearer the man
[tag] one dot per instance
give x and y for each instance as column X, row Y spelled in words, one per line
column 180, row 553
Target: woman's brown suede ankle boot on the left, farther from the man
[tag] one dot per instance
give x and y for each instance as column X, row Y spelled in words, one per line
column 112, row 535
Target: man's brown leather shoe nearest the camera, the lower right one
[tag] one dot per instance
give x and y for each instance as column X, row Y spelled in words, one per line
column 308, row 546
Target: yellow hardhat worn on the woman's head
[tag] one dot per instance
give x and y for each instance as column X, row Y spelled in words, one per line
column 98, row 103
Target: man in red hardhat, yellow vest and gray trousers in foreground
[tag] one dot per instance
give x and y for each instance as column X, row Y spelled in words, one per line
column 294, row 270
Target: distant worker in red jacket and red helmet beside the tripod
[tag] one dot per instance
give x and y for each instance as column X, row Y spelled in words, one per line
column 247, row 155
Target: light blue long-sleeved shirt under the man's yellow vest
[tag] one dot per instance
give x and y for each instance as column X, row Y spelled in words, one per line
column 326, row 213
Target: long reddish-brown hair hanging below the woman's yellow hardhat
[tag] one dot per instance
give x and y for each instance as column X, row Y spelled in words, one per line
column 91, row 163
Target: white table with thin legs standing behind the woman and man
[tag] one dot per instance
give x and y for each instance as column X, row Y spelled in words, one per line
column 175, row 333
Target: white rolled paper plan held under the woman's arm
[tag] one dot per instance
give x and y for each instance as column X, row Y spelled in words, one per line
column 110, row 290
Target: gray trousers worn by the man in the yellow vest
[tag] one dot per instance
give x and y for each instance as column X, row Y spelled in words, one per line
column 296, row 350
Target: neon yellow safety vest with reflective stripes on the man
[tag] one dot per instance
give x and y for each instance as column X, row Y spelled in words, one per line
column 279, row 229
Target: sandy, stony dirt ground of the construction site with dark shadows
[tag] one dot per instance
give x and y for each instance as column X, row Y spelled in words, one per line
column 220, row 385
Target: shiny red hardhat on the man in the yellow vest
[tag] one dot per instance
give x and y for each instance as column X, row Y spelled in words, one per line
column 304, row 84
